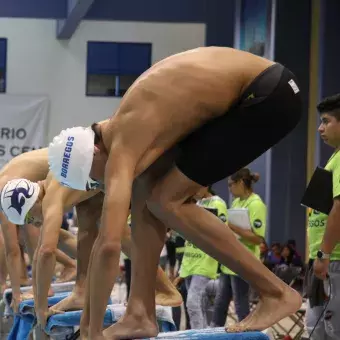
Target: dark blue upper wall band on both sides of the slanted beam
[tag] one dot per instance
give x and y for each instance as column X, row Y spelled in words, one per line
column 217, row 14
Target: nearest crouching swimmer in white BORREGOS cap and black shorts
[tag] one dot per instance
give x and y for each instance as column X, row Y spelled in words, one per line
column 222, row 94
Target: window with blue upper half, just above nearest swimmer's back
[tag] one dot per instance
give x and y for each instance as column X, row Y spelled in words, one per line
column 113, row 67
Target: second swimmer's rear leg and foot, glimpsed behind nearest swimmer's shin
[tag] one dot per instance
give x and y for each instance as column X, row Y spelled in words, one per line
column 166, row 292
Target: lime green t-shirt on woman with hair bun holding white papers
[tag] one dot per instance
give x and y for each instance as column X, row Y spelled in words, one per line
column 258, row 216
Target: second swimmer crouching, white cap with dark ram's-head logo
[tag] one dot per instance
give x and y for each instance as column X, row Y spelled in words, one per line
column 48, row 206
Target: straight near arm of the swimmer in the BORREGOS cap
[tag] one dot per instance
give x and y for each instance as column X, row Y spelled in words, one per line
column 119, row 175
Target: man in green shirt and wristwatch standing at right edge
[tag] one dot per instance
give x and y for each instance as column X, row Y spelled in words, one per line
column 324, row 231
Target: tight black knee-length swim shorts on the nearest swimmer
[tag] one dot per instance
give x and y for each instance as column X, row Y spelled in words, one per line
column 269, row 110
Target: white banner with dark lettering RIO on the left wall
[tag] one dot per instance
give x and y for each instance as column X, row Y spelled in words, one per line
column 23, row 124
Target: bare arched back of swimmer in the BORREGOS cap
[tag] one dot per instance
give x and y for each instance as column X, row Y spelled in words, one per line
column 177, row 95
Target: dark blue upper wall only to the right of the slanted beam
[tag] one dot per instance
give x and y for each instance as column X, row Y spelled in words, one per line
column 217, row 14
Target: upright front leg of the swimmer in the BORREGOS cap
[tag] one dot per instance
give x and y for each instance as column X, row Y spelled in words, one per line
column 148, row 237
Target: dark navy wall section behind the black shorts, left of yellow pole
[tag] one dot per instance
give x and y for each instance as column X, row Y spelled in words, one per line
column 289, row 158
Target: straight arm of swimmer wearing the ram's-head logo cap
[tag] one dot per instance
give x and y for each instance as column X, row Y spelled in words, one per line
column 52, row 208
